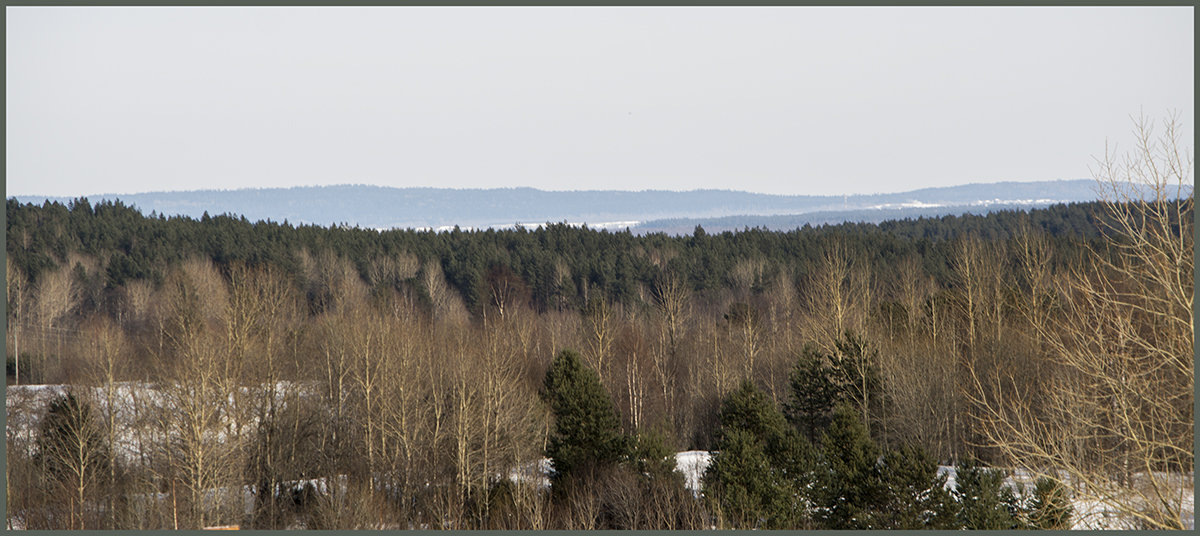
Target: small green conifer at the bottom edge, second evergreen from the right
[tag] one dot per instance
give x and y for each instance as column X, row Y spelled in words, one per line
column 987, row 504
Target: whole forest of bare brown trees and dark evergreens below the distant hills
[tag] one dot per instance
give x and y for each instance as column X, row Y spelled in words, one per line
column 353, row 378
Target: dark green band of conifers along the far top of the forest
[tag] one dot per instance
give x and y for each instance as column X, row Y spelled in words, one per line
column 599, row 263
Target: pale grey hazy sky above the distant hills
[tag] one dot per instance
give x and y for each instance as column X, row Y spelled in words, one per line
column 802, row 101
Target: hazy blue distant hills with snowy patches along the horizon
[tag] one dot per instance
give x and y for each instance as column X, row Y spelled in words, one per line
column 379, row 207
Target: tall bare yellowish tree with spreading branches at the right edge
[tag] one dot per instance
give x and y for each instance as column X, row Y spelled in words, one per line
column 1117, row 423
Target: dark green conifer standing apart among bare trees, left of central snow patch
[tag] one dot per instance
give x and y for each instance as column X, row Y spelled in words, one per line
column 587, row 432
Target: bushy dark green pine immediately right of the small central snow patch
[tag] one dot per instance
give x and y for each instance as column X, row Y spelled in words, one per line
column 761, row 471
